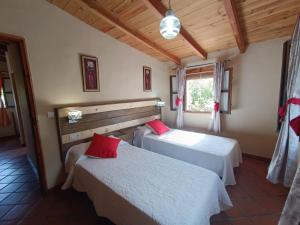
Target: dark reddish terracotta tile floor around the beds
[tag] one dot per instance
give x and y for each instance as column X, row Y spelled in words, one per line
column 255, row 200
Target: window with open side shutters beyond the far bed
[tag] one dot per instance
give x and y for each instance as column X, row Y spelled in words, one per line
column 199, row 90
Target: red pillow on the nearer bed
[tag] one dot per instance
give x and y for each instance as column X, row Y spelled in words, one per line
column 103, row 147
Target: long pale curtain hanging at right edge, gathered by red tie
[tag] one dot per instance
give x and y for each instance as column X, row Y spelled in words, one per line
column 284, row 161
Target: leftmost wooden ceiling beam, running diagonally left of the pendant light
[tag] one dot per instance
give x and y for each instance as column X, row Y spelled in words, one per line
column 109, row 18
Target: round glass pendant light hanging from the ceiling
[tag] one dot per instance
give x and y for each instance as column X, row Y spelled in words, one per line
column 170, row 24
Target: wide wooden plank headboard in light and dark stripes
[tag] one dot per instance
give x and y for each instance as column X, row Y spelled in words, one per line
column 118, row 117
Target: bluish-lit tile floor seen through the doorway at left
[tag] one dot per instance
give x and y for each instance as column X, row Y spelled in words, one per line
column 19, row 188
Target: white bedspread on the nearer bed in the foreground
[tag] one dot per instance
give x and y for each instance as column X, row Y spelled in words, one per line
column 141, row 187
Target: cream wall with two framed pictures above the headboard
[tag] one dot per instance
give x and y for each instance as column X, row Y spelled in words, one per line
column 54, row 41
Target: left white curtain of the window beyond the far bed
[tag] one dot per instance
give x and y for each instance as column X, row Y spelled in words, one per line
column 181, row 73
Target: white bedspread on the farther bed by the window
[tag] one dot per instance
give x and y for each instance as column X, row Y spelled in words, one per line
column 215, row 153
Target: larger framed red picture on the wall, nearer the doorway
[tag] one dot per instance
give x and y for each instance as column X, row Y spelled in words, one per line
column 90, row 73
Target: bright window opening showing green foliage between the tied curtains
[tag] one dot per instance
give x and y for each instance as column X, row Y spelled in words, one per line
column 199, row 95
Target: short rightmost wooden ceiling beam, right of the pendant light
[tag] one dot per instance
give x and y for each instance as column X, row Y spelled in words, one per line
column 232, row 13
